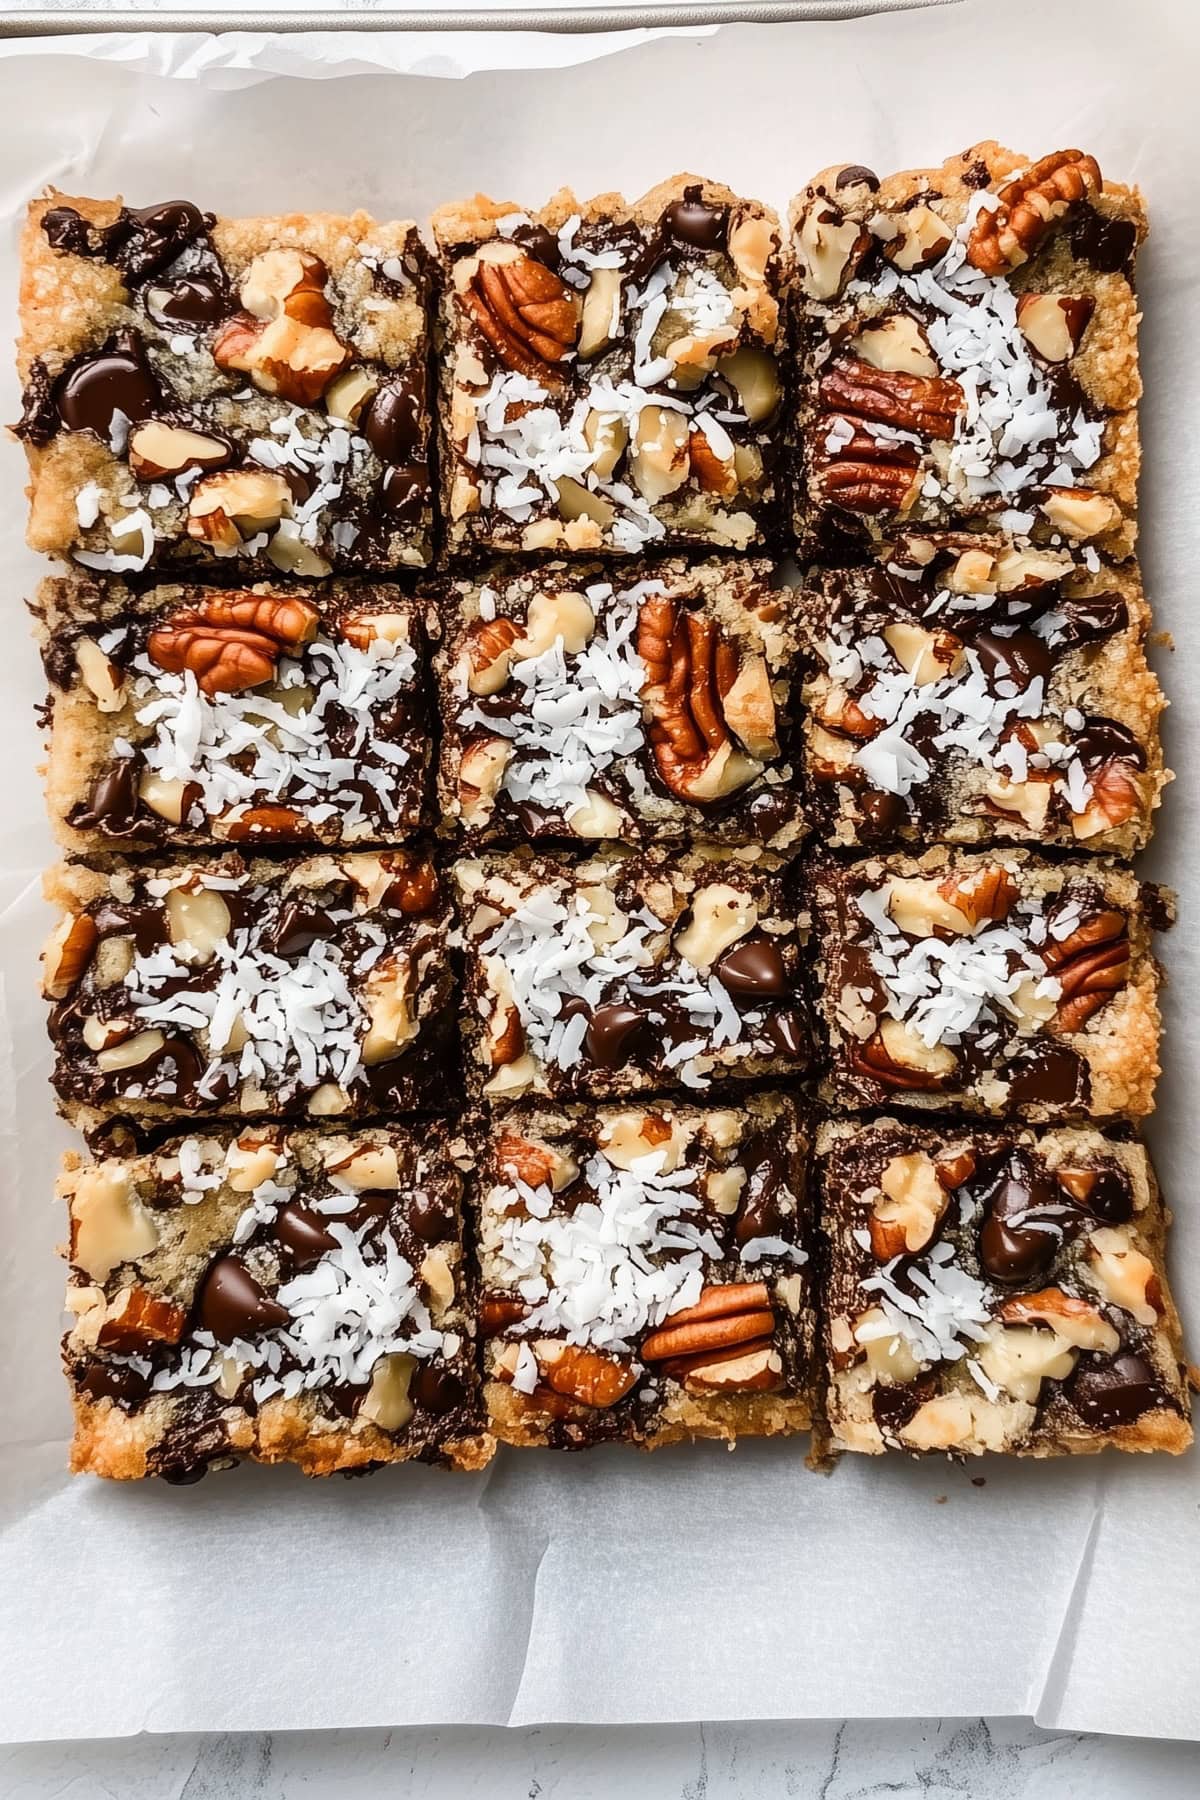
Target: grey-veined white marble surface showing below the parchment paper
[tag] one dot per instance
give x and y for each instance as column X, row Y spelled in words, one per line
column 935, row 1759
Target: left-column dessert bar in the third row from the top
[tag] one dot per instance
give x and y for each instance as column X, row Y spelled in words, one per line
column 226, row 987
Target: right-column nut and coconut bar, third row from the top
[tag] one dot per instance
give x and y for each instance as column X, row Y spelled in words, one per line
column 989, row 984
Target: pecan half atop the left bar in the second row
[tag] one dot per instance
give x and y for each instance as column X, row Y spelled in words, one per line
column 233, row 642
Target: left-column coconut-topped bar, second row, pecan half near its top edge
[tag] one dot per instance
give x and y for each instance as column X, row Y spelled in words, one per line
column 197, row 715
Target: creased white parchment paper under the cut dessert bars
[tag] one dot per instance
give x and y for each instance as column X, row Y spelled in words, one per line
column 607, row 1587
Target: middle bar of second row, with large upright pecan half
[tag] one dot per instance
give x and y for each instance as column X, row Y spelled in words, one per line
column 645, row 708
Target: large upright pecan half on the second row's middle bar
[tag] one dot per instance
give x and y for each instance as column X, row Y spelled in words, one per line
column 690, row 672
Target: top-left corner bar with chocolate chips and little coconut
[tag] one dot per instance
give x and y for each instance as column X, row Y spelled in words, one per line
column 202, row 390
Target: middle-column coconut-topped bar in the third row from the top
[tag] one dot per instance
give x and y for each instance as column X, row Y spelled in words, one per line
column 629, row 973
